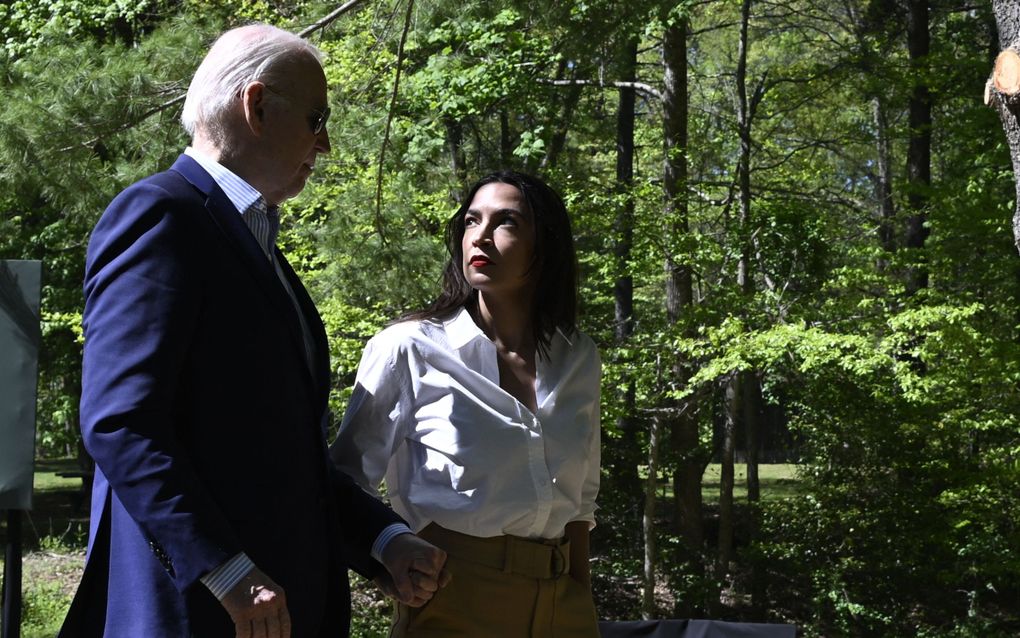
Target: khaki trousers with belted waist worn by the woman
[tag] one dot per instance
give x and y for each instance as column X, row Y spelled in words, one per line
column 503, row 587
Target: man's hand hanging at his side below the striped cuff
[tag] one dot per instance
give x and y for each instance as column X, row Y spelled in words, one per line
column 259, row 608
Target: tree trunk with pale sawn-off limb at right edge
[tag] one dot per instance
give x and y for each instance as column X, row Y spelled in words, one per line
column 1004, row 90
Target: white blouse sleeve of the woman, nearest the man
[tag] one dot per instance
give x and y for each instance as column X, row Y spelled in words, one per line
column 371, row 430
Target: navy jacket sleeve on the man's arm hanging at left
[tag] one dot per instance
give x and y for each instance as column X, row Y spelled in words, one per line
column 141, row 308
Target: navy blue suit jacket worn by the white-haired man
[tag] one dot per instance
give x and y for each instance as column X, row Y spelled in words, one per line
column 207, row 421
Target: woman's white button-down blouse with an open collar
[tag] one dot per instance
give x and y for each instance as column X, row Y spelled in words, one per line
column 429, row 416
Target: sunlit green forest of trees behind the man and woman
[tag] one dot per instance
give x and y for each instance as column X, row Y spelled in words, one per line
column 794, row 229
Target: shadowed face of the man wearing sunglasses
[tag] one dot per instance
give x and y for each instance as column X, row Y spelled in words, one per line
column 291, row 144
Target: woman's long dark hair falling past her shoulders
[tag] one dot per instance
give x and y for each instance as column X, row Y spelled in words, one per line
column 555, row 305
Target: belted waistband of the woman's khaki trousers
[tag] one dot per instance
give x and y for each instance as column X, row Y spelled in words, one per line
column 512, row 555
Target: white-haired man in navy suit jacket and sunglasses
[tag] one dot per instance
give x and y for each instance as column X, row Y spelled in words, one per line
column 216, row 509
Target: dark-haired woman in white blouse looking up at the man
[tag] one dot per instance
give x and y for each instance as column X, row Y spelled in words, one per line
column 482, row 414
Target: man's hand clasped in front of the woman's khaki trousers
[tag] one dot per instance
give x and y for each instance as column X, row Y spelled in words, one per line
column 416, row 570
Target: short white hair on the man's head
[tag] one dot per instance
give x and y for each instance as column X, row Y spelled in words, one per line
column 240, row 57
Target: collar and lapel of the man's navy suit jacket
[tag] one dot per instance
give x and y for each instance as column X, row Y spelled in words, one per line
column 248, row 251
